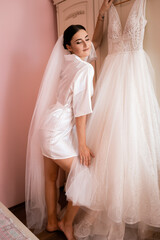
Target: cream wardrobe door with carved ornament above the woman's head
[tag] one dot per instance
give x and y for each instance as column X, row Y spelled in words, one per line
column 75, row 12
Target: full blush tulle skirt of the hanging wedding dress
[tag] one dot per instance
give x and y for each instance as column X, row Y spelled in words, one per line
column 122, row 183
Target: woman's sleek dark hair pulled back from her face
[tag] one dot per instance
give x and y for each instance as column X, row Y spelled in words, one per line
column 69, row 32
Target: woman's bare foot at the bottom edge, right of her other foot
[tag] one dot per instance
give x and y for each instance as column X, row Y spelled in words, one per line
column 67, row 229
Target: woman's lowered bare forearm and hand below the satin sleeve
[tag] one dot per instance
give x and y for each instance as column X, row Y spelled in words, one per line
column 84, row 152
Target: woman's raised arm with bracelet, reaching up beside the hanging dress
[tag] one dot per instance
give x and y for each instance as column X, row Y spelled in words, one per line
column 98, row 32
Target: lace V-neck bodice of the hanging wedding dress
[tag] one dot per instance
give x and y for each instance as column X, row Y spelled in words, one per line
column 131, row 37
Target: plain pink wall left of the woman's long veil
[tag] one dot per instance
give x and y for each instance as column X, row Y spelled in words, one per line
column 27, row 36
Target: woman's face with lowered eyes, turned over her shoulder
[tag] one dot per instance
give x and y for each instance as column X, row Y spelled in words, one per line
column 80, row 44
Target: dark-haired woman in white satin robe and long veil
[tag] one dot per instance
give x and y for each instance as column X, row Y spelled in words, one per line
column 53, row 140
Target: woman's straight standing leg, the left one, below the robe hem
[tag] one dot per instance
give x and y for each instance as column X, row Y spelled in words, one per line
column 51, row 173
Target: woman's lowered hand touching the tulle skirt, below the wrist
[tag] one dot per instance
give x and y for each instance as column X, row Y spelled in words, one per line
column 85, row 155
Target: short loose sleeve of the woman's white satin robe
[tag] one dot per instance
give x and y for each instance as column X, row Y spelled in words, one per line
column 83, row 91
